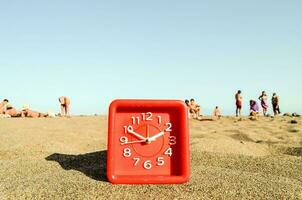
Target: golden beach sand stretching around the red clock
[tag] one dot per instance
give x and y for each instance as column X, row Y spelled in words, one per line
column 64, row 158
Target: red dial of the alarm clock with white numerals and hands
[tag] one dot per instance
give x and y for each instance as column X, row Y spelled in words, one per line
column 147, row 141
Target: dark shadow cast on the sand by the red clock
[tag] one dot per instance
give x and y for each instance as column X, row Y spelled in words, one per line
column 92, row 165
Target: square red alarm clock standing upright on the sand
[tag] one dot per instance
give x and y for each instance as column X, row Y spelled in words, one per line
column 148, row 142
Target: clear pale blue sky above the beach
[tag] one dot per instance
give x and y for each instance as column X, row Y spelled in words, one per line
column 97, row 51
